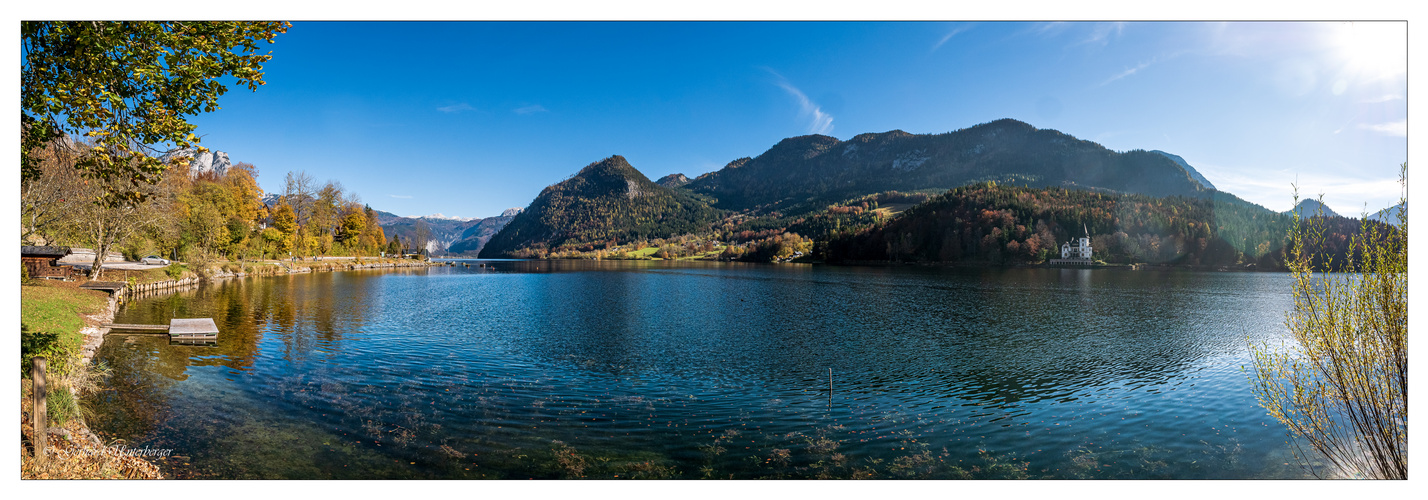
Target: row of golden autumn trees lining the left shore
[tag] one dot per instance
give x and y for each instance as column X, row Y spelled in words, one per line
column 193, row 216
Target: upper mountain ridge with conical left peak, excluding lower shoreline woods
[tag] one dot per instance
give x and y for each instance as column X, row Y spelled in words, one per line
column 612, row 204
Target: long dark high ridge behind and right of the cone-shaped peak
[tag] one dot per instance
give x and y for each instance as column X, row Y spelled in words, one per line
column 815, row 171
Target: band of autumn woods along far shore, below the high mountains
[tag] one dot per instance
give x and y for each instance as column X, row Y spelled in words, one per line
column 997, row 225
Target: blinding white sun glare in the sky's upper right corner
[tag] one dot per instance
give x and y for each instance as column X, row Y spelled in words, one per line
column 1373, row 51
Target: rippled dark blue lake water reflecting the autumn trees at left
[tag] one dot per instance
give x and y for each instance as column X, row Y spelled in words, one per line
column 649, row 369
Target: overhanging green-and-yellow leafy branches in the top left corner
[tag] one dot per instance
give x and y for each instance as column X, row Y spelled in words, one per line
column 131, row 86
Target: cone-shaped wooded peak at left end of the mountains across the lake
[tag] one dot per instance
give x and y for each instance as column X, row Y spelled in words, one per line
column 608, row 201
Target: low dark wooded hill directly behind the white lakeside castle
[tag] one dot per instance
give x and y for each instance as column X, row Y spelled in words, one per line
column 1009, row 225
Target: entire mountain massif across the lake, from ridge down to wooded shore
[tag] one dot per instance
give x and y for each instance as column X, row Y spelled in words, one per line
column 1000, row 194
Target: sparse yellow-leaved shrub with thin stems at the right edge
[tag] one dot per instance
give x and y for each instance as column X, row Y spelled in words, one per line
column 1343, row 384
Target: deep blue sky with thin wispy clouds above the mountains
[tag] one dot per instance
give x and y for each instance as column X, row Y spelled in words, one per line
column 468, row 119
